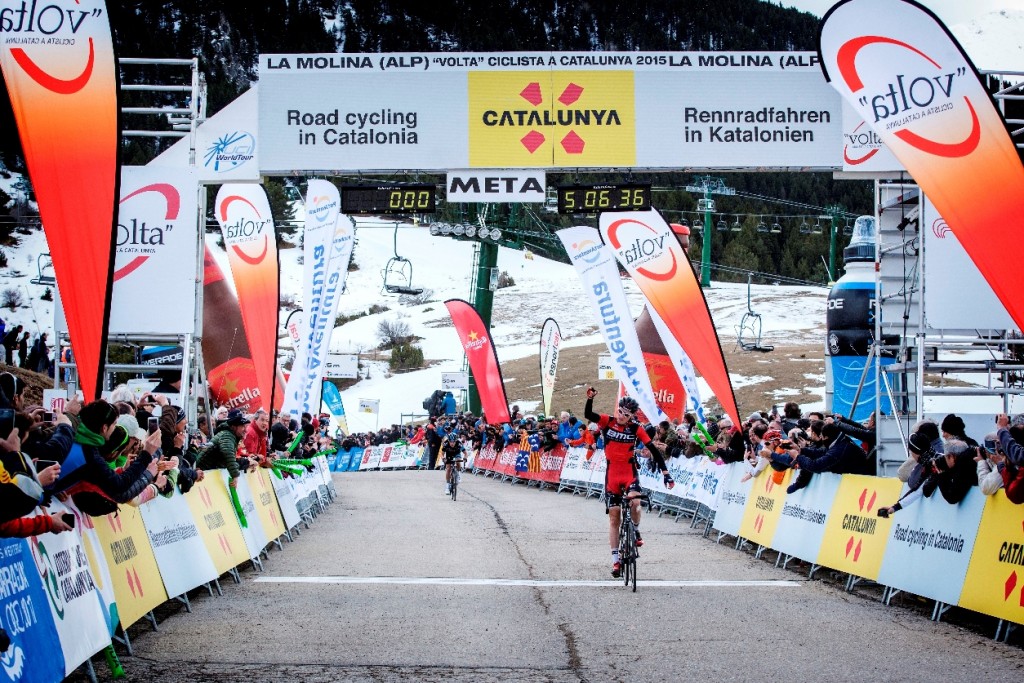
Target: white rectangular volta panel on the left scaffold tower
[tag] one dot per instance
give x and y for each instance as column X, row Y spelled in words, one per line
column 157, row 243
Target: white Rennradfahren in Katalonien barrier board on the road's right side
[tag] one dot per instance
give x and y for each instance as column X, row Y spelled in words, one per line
column 802, row 525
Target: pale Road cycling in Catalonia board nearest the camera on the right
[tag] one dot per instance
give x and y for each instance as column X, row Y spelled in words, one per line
column 930, row 546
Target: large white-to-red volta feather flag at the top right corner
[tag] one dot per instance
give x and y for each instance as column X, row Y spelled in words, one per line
column 910, row 79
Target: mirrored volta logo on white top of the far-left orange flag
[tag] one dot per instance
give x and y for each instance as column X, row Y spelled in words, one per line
column 63, row 25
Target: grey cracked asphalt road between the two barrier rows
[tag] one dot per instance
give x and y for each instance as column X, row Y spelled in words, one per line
column 397, row 582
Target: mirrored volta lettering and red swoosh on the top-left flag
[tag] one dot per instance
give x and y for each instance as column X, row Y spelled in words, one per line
column 50, row 25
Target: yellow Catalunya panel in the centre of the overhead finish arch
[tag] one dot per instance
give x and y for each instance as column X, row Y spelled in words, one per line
column 539, row 119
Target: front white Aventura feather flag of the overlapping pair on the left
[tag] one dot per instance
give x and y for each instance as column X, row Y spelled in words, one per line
column 319, row 295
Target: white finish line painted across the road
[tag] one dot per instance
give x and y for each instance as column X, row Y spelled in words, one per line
column 428, row 581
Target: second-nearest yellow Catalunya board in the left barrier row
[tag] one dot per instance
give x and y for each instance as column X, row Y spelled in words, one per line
column 211, row 507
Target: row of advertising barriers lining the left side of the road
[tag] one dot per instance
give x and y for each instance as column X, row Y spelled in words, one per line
column 67, row 597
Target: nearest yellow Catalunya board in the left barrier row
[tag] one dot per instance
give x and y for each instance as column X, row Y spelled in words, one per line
column 138, row 586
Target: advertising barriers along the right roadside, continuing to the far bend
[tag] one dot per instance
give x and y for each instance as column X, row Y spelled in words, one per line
column 968, row 556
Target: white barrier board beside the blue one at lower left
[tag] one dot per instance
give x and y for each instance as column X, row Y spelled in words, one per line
column 75, row 603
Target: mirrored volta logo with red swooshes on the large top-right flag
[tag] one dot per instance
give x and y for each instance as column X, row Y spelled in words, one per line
column 901, row 104
